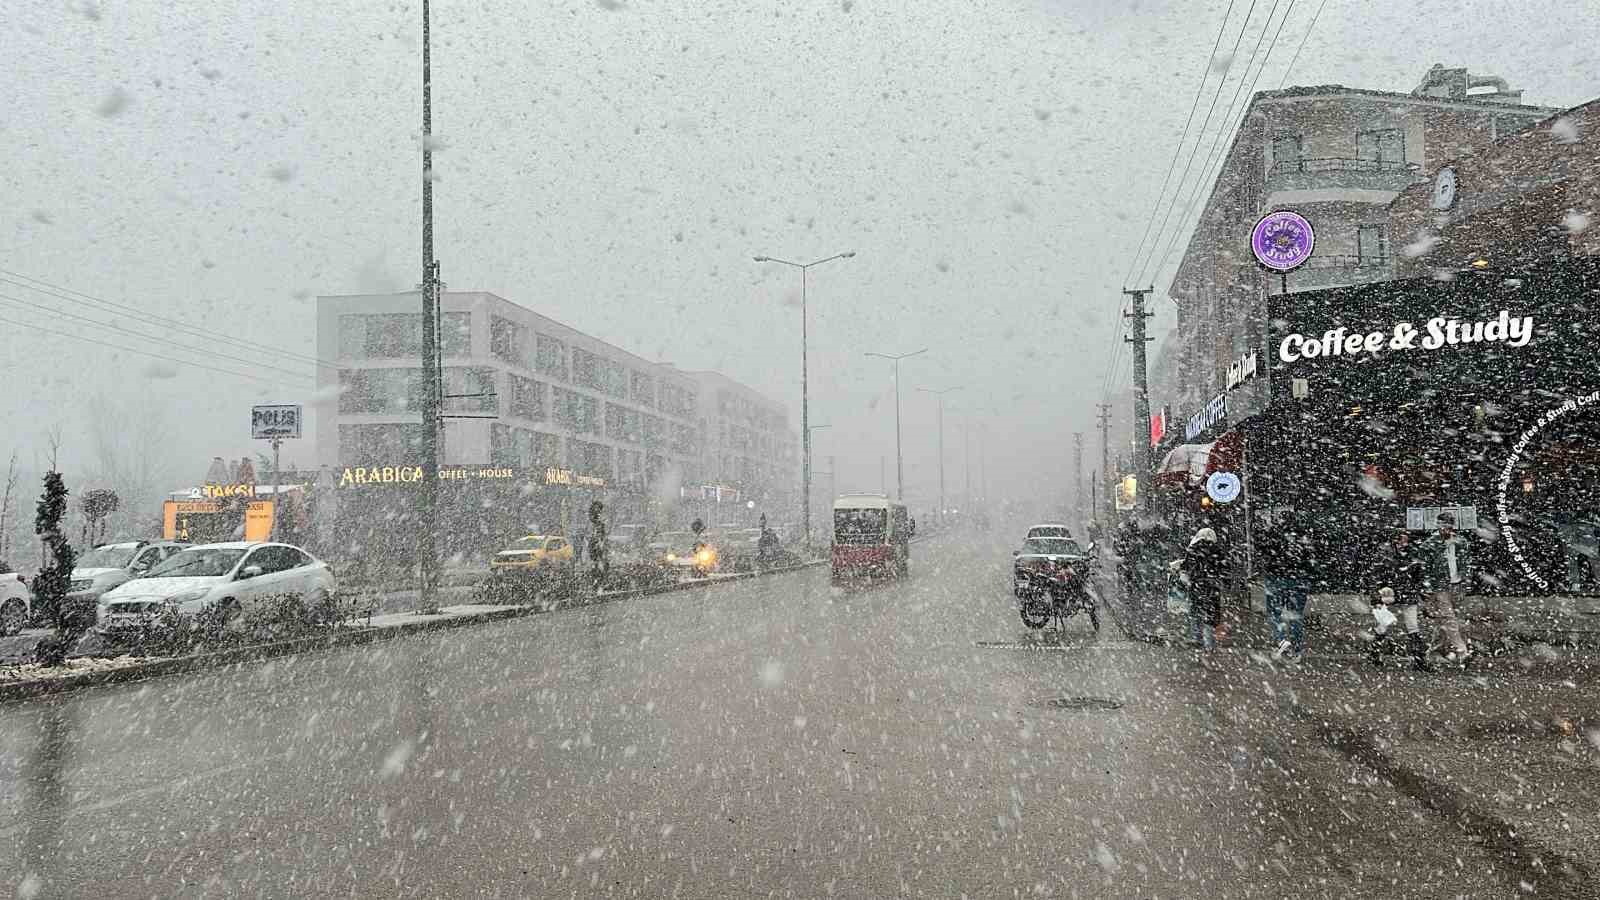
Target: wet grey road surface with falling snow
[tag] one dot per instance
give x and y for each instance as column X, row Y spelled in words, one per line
column 774, row 737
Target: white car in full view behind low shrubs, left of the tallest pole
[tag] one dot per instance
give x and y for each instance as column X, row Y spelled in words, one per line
column 231, row 579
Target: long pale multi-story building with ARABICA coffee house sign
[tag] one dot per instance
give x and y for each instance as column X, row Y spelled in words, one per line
column 551, row 416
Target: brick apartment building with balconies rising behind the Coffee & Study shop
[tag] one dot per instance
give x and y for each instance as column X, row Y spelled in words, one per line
column 1337, row 156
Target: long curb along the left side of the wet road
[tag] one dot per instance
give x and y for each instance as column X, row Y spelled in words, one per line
column 22, row 691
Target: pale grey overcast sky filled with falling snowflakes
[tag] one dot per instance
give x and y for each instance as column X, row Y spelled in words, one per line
column 617, row 164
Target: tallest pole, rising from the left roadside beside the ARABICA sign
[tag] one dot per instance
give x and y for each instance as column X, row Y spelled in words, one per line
column 428, row 494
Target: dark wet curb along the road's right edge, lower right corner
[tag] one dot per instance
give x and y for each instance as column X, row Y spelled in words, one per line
column 1553, row 872
